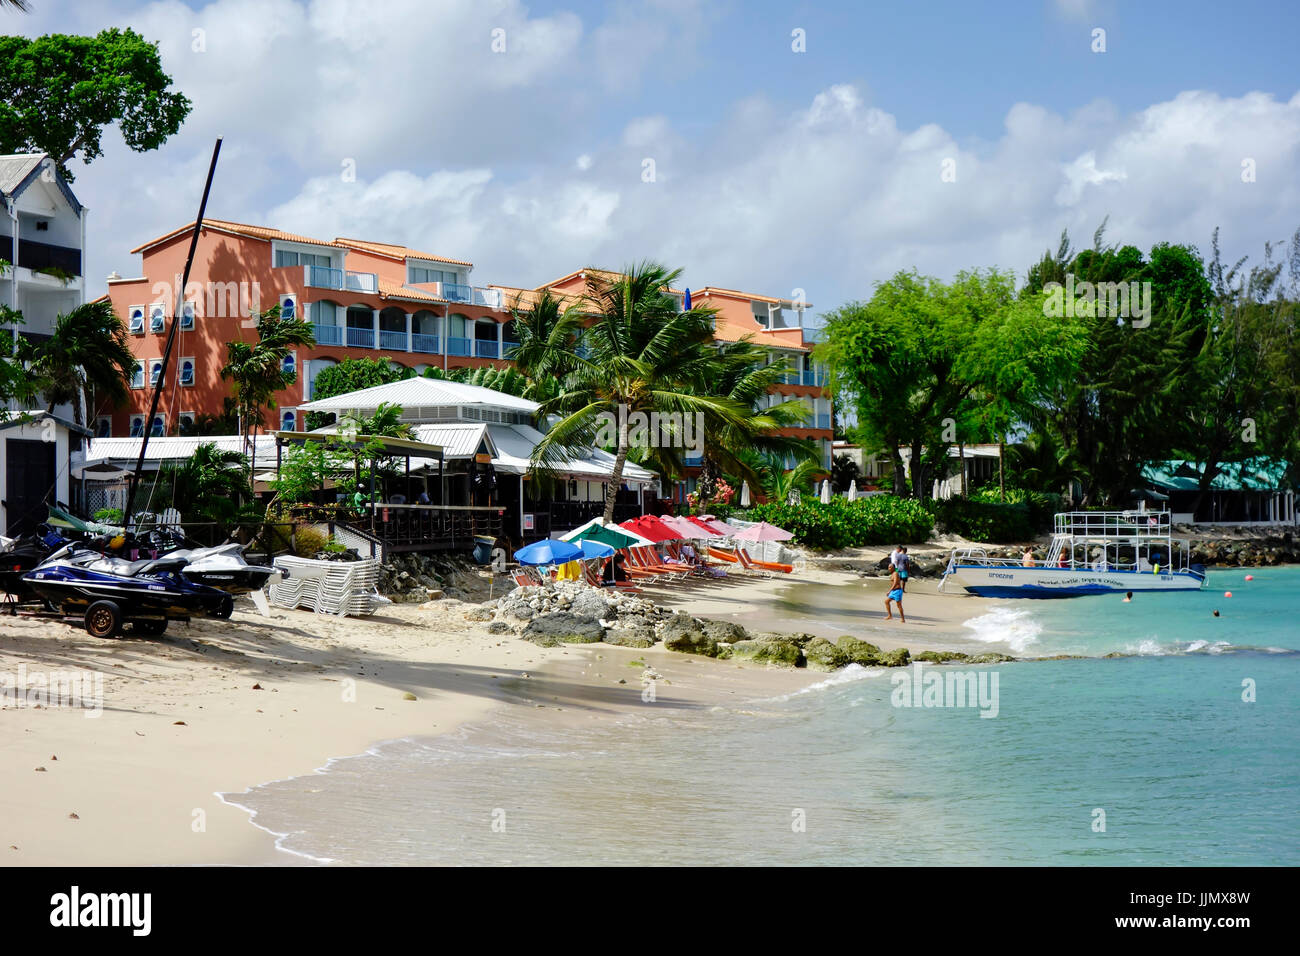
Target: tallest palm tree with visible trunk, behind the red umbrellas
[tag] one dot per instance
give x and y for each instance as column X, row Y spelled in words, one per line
column 644, row 357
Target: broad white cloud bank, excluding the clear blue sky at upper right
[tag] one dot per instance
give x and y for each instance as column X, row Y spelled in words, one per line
column 471, row 154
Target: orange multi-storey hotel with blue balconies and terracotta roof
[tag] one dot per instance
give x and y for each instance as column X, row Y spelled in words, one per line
column 367, row 300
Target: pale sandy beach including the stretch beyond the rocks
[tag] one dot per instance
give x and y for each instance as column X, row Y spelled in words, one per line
column 218, row 707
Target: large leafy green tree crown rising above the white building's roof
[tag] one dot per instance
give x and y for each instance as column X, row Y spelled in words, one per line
column 59, row 93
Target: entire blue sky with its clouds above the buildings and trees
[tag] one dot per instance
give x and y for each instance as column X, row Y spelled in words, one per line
column 774, row 171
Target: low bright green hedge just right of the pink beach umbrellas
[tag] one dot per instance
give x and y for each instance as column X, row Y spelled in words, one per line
column 876, row 521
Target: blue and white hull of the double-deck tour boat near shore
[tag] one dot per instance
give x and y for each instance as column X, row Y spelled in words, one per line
column 1051, row 582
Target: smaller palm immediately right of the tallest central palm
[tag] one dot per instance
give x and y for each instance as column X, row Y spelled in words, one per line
column 746, row 377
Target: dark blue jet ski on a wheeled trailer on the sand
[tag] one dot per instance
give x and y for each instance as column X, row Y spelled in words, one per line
column 109, row 591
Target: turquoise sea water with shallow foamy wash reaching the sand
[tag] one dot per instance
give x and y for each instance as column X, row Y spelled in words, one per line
column 1163, row 745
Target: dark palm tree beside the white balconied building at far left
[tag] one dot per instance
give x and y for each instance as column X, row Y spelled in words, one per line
column 89, row 356
